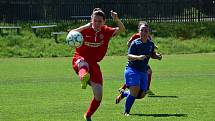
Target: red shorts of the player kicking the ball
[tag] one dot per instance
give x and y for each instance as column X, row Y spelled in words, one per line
column 94, row 70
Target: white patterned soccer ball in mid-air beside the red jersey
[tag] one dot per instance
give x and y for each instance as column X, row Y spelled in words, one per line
column 74, row 39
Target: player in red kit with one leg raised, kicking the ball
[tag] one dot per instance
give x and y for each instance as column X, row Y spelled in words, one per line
column 96, row 37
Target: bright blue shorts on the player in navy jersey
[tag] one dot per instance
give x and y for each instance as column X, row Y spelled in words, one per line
column 134, row 77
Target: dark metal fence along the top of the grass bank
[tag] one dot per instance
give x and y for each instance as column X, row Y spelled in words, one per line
column 150, row 10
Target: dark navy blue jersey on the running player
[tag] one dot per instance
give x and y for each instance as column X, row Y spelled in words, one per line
column 139, row 48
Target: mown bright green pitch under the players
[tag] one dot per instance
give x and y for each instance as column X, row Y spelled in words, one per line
column 47, row 89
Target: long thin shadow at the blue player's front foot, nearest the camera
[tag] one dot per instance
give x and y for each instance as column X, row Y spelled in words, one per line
column 162, row 115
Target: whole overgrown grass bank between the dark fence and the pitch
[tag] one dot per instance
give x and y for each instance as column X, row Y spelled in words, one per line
column 172, row 38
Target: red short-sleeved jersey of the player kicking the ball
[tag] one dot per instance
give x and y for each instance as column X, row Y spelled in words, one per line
column 95, row 44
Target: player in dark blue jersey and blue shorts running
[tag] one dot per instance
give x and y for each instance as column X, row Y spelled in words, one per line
column 136, row 78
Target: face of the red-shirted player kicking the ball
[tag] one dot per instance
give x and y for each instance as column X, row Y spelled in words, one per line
column 97, row 22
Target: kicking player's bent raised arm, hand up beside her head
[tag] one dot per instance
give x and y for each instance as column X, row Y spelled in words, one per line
column 121, row 27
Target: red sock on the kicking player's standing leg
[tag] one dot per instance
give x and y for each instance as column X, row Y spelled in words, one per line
column 92, row 108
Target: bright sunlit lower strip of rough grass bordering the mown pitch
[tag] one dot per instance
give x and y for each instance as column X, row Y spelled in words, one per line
column 29, row 45
